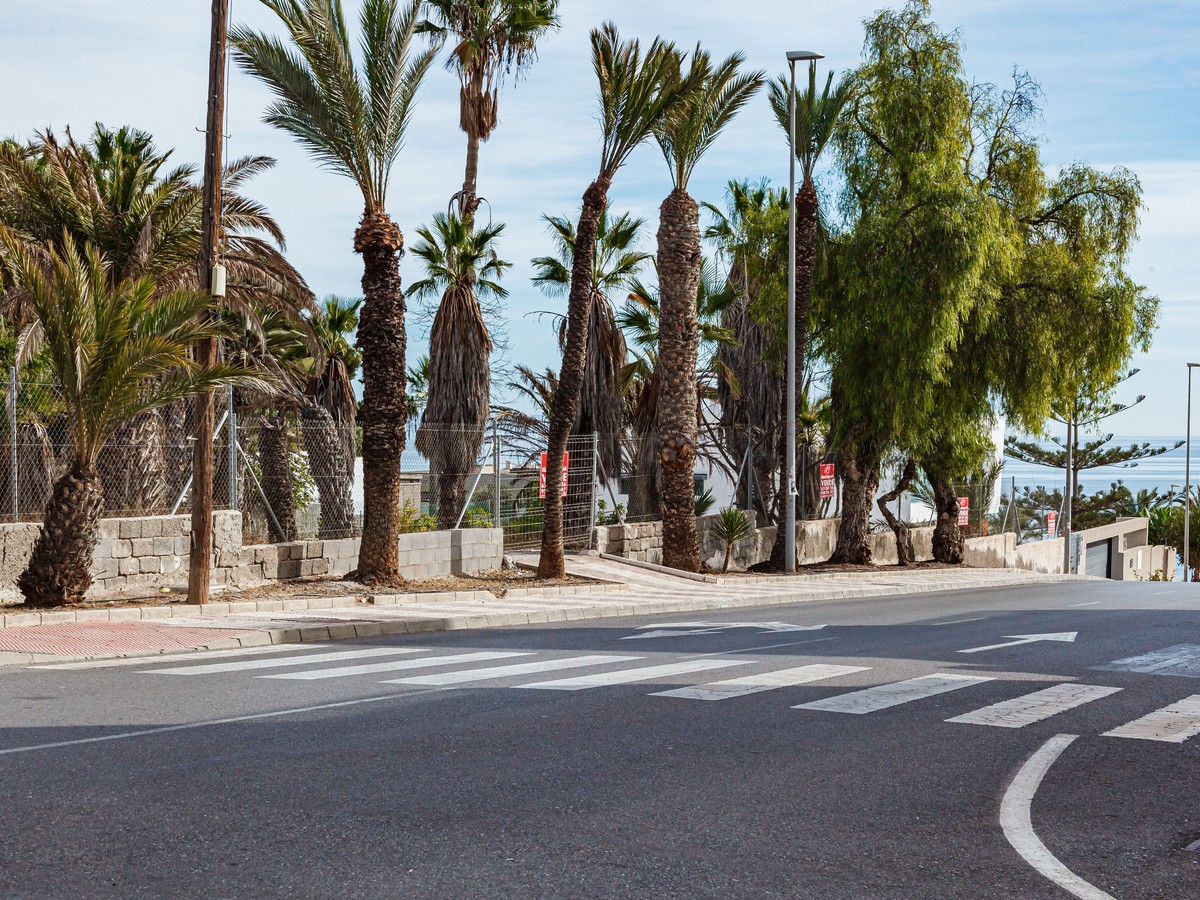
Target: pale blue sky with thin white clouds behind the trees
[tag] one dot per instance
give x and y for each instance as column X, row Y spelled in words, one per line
column 1121, row 85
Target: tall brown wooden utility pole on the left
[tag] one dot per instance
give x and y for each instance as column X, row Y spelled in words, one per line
column 201, row 565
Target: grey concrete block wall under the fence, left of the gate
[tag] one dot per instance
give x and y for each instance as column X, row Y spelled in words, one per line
column 152, row 553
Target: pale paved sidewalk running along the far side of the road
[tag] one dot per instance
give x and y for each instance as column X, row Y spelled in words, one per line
column 637, row 591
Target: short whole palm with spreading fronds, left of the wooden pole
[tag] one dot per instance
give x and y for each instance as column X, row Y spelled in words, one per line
column 118, row 351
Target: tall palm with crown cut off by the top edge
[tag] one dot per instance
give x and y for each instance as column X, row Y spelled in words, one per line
column 491, row 39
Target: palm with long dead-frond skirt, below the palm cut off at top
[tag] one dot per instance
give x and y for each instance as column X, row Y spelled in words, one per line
column 461, row 266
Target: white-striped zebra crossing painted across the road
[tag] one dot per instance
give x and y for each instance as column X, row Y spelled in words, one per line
column 537, row 671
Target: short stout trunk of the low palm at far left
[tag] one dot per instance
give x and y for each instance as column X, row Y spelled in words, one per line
column 59, row 571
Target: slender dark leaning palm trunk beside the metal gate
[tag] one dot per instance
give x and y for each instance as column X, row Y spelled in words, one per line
column 566, row 404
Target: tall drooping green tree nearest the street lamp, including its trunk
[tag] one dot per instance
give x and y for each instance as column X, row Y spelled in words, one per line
column 921, row 236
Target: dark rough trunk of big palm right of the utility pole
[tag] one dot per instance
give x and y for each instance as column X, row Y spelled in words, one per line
column 381, row 338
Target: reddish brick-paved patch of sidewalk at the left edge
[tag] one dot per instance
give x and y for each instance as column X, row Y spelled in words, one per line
column 110, row 639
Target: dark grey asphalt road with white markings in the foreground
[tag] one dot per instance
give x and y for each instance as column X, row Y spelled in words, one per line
column 218, row 779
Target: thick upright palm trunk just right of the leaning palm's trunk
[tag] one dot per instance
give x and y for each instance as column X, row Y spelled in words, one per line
column 679, row 347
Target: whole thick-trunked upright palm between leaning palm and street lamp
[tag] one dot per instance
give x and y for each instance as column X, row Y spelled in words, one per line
column 704, row 113
